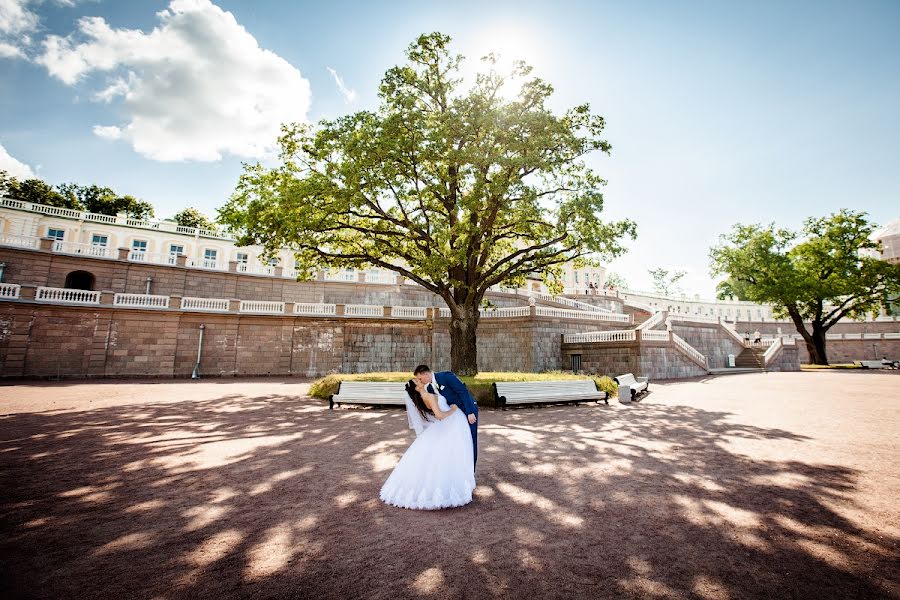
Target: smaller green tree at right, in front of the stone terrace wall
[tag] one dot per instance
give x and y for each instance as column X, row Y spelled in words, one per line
column 821, row 274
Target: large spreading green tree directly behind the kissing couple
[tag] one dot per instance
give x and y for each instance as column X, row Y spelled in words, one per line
column 456, row 189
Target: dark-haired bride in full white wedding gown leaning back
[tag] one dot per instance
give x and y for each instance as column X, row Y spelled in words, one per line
column 436, row 470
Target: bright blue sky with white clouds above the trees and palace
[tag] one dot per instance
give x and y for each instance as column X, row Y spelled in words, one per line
column 717, row 112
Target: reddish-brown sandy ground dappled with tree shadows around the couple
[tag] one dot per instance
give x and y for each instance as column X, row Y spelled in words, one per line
column 781, row 485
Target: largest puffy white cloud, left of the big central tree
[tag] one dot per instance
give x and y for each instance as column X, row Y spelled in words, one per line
column 194, row 88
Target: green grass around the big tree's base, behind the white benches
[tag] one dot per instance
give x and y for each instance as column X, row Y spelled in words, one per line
column 479, row 385
